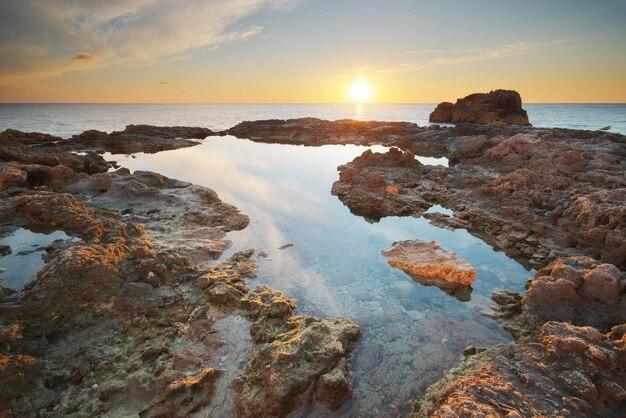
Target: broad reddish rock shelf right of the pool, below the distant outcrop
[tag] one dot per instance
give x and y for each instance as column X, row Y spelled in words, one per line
column 536, row 195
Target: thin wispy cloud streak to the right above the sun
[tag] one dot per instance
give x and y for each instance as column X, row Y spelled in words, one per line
column 435, row 58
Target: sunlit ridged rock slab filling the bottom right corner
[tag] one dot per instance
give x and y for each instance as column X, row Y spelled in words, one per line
column 560, row 369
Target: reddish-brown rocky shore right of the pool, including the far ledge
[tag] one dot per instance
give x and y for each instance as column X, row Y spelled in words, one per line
column 554, row 199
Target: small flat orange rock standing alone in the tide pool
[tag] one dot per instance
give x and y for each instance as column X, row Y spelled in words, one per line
column 429, row 264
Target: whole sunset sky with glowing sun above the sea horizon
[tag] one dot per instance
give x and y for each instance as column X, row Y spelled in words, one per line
column 310, row 51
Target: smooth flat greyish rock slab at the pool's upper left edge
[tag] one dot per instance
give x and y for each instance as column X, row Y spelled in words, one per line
column 188, row 218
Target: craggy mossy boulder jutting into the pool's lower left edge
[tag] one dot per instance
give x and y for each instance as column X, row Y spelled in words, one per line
column 293, row 358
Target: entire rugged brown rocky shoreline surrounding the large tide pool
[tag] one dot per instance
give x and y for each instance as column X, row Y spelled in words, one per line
column 124, row 320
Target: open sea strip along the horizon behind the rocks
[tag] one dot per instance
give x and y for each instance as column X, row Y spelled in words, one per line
column 69, row 119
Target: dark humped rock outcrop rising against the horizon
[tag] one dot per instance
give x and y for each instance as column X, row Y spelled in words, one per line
column 495, row 107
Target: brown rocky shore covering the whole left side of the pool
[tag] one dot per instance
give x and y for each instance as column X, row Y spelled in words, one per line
column 126, row 321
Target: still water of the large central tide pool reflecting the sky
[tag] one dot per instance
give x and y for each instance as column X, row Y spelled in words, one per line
column 411, row 333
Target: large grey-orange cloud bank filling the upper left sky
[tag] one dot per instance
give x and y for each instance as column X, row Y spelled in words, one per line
column 46, row 39
